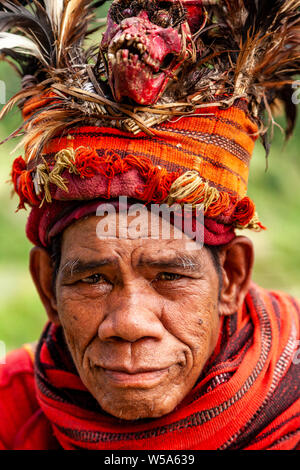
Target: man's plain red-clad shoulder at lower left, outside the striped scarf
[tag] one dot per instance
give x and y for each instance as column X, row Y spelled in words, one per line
column 17, row 393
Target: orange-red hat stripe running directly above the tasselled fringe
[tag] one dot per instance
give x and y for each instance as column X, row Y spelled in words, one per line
column 232, row 177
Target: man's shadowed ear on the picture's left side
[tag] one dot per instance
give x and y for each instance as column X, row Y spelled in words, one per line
column 42, row 271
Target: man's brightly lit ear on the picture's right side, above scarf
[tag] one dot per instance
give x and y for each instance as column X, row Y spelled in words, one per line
column 237, row 258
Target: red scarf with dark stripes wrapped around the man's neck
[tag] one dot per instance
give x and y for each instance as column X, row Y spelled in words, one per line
column 246, row 398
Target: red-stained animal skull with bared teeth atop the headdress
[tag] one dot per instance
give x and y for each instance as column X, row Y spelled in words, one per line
column 146, row 42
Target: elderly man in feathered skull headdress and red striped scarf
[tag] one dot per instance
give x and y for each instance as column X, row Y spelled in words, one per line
column 154, row 341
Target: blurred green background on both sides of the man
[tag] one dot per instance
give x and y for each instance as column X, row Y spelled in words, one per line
column 276, row 193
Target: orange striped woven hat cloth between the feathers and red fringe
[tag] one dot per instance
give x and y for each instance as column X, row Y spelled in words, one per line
column 218, row 143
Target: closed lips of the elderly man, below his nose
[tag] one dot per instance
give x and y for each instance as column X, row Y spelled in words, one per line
column 138, row 379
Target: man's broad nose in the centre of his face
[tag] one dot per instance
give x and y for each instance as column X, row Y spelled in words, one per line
column 132, row 314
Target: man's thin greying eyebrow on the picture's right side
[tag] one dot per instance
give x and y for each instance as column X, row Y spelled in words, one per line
column 184, row 262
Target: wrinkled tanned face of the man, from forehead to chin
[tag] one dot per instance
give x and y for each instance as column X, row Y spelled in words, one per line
column 140, row 316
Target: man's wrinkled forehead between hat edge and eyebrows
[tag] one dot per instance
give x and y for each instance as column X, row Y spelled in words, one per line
column 121, row 230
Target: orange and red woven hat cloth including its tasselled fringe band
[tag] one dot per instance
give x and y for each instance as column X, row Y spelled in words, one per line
column 89, row 162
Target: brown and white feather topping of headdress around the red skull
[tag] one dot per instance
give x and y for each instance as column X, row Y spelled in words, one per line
column 241, row 49
